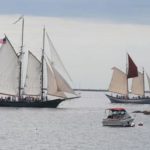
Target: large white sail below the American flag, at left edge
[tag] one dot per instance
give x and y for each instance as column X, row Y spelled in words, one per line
column 9, row 71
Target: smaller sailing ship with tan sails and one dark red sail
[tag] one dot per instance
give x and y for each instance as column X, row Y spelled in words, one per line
column 119, row 87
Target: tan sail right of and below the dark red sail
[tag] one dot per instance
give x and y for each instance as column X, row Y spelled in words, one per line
column 137, row 87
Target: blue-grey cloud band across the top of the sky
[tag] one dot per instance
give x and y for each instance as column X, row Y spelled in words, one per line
column 133, row 11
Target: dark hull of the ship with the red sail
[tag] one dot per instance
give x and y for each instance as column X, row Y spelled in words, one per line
column 143, row 100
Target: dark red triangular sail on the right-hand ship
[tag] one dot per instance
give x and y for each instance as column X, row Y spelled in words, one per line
column 132, row 68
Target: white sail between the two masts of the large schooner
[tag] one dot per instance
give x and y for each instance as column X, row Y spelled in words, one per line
column 33, row 81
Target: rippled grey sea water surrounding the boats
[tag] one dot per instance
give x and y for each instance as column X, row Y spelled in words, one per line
column 75, row 125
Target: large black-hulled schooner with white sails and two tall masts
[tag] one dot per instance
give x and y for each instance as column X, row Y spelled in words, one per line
column 42, row 80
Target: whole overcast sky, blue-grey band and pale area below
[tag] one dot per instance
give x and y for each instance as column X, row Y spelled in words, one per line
column 91, row 36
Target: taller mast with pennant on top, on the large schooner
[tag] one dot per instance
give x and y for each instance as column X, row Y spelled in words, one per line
column 20, row 59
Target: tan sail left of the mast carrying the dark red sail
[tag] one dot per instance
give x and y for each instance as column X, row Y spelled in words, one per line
column 118, row 82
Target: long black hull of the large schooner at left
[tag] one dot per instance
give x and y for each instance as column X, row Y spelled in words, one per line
column 40, row 104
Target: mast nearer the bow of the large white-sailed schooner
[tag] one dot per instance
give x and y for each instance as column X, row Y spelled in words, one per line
column 42, row 73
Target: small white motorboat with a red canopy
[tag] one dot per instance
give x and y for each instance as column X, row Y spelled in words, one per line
column 117, row 117
